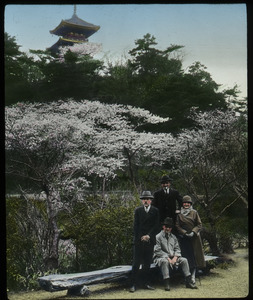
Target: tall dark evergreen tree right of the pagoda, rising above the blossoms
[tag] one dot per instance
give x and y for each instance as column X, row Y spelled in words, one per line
column 155, row 80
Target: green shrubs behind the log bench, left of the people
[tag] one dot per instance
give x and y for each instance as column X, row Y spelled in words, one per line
column 100, row 229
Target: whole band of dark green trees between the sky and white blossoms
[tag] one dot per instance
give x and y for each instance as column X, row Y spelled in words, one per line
column 151, row 78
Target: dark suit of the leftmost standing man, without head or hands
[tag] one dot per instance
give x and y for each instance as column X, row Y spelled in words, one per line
column 144, row 224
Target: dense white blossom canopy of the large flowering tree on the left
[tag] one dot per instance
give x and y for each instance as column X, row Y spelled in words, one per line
column 88, row 136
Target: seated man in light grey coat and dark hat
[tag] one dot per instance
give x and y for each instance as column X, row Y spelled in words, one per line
column 167, row 255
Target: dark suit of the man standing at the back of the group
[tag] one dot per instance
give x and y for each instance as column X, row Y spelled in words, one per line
column 167, row 203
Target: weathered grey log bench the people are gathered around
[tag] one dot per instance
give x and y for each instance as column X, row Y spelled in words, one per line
column 77, row 283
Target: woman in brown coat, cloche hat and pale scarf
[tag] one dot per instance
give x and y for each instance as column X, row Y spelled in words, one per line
column 188, row 225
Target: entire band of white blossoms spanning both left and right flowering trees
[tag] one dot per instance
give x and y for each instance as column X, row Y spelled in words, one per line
column 64, row 143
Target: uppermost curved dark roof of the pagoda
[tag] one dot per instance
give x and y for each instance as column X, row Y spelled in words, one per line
column 77, row 25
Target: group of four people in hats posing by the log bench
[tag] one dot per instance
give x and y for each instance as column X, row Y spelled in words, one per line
column 166, row 232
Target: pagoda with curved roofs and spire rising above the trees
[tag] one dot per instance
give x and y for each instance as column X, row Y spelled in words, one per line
column 72, row 31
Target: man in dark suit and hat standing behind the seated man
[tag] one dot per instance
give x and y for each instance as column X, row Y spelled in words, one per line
column 167, row 200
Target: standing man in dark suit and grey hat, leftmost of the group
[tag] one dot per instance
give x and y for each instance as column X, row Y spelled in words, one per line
column 146, row 226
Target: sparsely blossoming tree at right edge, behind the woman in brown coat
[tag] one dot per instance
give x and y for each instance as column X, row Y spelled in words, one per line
column 213, row 166
